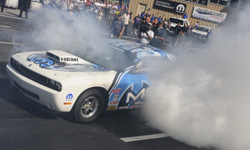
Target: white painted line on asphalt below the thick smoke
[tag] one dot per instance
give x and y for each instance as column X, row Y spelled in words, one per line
column 144, row 137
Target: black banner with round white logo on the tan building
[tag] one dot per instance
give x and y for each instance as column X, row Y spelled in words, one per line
column 170, row 6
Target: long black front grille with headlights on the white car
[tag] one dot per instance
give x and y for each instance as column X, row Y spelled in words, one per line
column 31, row 74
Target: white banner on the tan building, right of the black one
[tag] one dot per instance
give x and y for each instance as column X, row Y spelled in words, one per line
column 209, row 15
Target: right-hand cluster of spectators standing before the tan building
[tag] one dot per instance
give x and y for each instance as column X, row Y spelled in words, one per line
column 154, row 30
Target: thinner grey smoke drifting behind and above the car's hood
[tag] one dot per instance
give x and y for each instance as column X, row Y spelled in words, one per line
column 56, row 29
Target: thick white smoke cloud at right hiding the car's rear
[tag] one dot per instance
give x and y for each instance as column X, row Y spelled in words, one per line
column 203, row 98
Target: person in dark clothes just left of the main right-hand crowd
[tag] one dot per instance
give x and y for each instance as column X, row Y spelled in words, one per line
column 117, row 26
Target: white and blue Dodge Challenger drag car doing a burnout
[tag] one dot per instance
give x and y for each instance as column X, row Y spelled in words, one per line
column 85, row 85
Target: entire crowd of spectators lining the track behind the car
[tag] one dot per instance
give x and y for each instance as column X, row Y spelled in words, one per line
column 148, row 28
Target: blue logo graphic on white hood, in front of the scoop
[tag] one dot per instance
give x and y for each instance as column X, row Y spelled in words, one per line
column 43, row 62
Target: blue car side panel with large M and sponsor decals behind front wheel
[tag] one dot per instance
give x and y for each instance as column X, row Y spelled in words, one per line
column 130, row 88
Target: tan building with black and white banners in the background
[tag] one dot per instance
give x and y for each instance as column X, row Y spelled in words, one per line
column 206, row 12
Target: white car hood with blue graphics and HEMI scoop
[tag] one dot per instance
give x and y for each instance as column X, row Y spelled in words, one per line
column 61, row 61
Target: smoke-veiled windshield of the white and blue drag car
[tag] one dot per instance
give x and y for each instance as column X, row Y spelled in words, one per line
column 111, row 58
